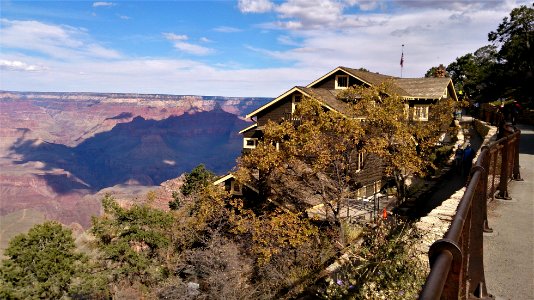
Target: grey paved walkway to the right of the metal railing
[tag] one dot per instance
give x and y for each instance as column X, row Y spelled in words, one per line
column 509, row 250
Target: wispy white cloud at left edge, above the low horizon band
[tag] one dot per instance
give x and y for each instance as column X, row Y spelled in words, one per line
column 57, row 41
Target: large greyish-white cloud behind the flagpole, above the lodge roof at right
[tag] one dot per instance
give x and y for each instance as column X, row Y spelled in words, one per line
column 373, row 40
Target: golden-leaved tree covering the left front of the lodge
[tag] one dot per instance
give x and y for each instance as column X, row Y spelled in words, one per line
column 311, row 160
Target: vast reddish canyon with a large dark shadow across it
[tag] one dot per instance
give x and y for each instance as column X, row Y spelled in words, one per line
column 61, row 152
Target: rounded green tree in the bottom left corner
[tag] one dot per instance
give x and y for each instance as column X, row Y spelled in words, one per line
column 41, row 264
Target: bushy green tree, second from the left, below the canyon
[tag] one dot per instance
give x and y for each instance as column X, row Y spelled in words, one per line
column 133, row 241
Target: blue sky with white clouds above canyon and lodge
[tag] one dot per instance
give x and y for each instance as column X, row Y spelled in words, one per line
column 245, row 48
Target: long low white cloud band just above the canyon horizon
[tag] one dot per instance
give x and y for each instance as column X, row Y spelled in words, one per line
column 169, row 76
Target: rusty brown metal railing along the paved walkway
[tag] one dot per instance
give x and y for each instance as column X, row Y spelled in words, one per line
column 456, row 261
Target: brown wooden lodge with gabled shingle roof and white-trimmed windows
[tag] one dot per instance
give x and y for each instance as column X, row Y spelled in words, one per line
column 419, row 95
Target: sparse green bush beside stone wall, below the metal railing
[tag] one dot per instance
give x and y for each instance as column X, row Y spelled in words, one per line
column 385, row 267
